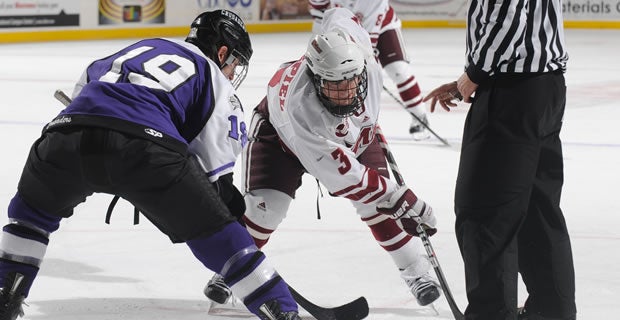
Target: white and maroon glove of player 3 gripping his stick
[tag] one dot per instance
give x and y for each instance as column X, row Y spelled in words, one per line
column 409, row 212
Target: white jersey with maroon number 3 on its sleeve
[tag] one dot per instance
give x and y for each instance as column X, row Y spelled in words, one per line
column 328, row 146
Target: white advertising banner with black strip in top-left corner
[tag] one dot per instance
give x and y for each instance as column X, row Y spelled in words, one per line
column 38, row 14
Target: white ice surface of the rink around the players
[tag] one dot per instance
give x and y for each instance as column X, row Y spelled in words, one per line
column 96, row 271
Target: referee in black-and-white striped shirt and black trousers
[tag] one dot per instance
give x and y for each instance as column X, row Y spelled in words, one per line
column 507, row 196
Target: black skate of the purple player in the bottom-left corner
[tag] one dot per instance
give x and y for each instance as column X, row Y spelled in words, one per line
column 12, row 296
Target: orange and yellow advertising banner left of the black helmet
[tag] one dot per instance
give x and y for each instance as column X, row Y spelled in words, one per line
column 133, row 12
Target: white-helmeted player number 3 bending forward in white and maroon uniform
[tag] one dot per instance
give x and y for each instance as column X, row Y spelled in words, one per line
column 320, row 117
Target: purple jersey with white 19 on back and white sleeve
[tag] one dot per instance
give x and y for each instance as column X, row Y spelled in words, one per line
column 164, row 90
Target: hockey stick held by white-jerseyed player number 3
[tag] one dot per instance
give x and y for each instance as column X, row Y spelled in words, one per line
column 458, row 315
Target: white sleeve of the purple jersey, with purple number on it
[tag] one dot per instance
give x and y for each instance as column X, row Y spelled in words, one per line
column 222, row 138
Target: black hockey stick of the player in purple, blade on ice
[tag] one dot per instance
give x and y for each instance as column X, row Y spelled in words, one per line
column 354, row 310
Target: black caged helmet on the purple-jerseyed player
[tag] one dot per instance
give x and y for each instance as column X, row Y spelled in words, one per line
column 214, row 29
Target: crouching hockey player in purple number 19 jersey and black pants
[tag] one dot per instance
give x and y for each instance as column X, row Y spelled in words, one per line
column 158, row 124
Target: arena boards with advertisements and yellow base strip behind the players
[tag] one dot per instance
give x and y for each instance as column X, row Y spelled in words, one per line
column 60, row 20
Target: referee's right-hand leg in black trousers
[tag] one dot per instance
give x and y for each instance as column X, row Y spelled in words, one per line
column 545, row 255
